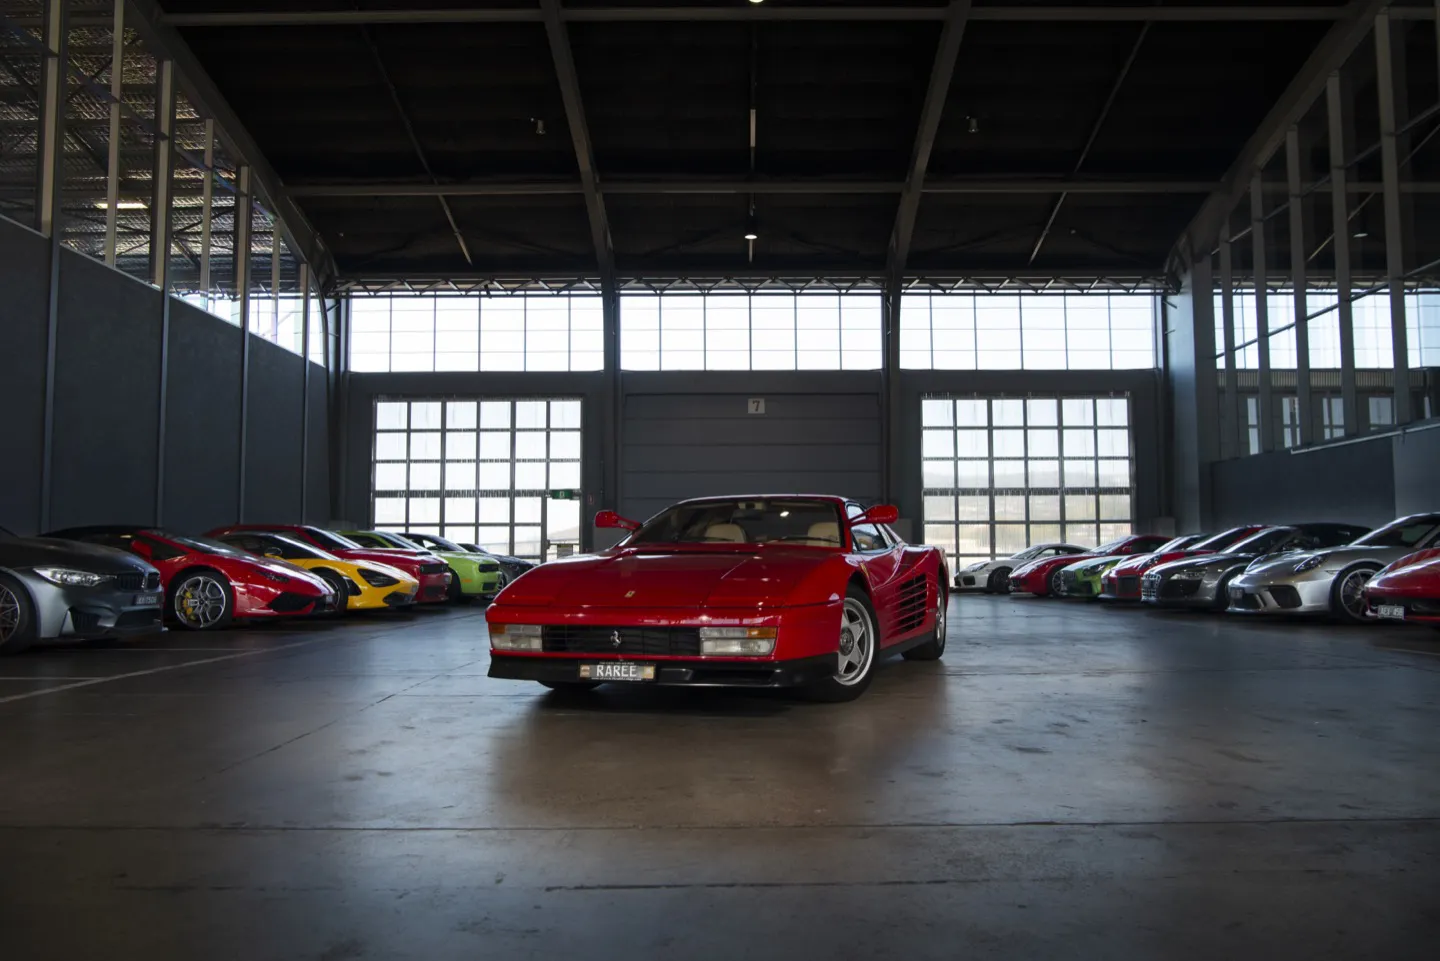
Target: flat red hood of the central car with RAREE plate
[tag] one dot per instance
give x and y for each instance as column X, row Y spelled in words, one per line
column 669, row 580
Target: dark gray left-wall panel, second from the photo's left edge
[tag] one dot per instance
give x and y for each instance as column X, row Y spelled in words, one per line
column 106, row 397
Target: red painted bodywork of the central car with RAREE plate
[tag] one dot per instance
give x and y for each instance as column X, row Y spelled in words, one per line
column 798, row 590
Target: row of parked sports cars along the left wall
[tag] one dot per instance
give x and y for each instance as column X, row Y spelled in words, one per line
column 114, row 581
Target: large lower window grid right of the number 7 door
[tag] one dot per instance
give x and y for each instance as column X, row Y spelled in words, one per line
column 1006, row 473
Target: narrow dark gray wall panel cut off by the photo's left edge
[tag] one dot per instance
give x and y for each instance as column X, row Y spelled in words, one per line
column 24, row 257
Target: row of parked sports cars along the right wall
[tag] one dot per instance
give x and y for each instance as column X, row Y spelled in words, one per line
column 1343, row 571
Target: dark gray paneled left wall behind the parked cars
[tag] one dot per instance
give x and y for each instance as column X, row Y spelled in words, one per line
column 107, row 406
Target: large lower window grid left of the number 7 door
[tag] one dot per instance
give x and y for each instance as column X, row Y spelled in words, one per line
column 480, row 470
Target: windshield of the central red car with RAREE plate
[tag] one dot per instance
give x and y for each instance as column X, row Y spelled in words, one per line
column 801, row 522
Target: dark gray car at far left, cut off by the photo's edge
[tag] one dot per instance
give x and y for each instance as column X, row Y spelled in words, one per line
column 60, row 589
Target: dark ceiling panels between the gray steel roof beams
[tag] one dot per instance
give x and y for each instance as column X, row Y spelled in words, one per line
column 834, row 102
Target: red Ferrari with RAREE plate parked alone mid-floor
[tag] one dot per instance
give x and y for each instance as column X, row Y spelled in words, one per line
column 758, row 591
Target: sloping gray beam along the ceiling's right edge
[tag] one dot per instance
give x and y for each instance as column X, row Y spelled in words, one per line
column 1200, row 238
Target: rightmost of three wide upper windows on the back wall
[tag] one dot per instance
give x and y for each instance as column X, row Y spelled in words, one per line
column 1027, row 332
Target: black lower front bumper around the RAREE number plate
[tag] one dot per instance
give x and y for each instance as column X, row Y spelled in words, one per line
column 699, row 672
